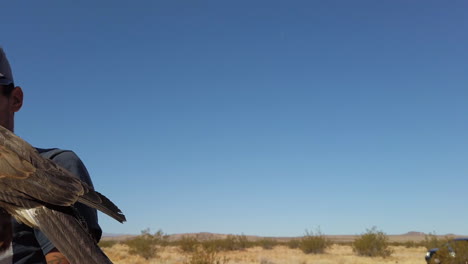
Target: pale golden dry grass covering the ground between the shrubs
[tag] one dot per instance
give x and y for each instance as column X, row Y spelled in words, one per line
column 336, row 254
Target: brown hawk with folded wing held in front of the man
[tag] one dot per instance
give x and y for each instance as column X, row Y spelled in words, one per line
column 39, row 193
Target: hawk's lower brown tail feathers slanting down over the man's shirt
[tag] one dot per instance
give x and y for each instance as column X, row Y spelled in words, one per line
column 69, row 237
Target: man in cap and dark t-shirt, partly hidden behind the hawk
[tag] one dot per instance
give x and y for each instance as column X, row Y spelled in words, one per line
column 31, row 246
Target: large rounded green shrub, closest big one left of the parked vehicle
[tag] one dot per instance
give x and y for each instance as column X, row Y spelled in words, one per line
column 373, row 243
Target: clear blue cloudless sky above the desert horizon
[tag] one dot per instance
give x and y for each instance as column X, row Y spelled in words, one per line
column 255, row 117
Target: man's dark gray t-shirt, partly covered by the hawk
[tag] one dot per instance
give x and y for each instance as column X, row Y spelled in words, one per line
column 30, row 245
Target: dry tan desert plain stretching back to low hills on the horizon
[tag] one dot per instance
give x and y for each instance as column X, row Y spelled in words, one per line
column 405, row 249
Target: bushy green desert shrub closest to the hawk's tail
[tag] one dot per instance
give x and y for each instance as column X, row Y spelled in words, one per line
column 145, row 244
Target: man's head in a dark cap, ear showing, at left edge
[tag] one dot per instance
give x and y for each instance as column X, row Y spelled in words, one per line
column 11, row 96
